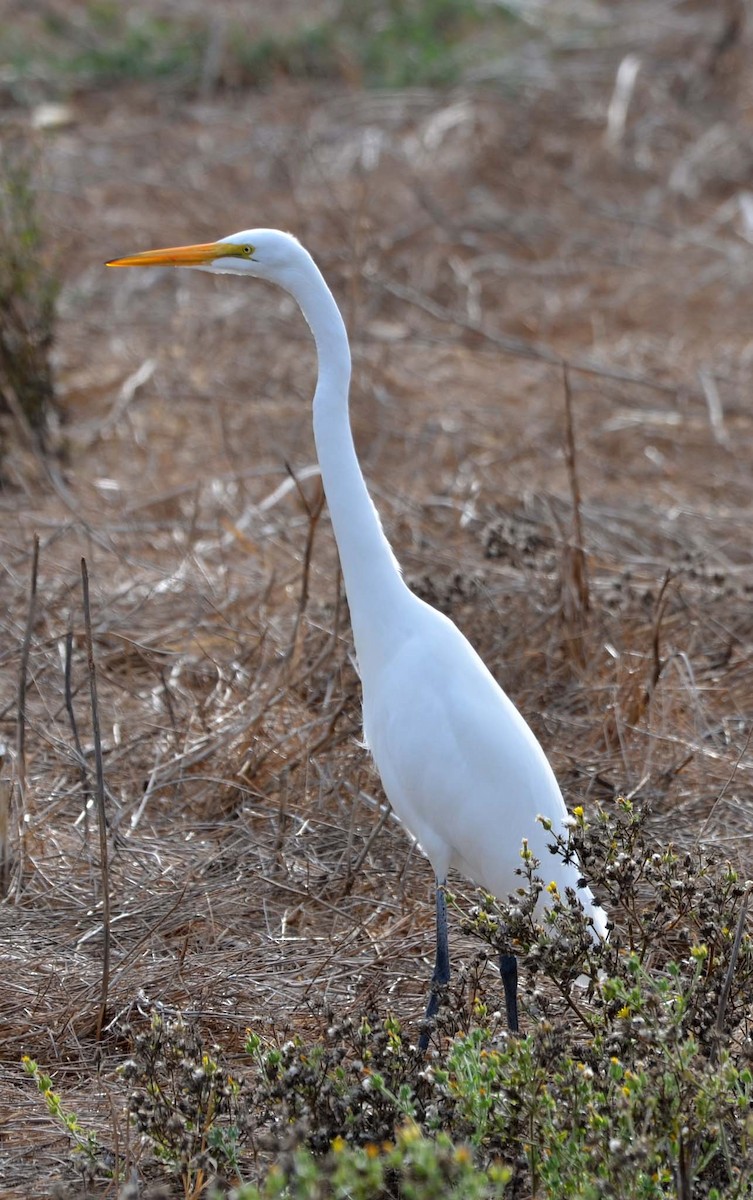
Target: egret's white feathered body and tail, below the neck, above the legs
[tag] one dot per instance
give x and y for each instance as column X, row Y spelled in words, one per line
column 461, row 767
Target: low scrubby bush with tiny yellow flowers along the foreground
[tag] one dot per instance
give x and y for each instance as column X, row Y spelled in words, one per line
column 635, row 1083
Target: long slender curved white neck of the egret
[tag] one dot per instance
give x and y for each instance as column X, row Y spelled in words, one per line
column 377, row 595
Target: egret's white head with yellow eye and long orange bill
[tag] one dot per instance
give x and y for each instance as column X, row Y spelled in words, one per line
column 267, row 254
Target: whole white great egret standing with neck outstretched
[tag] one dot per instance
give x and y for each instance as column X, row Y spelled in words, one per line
column 460, row 766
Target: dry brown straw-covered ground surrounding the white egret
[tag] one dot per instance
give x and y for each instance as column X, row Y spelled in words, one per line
column 475, row 239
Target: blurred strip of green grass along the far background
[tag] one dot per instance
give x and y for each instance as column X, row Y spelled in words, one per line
column 376, row 44
